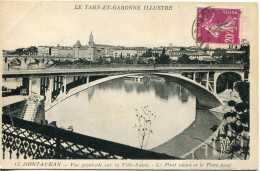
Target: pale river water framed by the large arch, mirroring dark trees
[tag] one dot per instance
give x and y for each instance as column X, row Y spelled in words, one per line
column 107, row 110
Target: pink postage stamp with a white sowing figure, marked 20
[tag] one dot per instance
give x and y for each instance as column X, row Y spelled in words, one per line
column 218, row 25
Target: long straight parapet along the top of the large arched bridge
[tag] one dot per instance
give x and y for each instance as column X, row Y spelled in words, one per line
column 107, row 69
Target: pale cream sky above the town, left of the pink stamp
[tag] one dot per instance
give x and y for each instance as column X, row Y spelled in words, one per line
column 24, row 24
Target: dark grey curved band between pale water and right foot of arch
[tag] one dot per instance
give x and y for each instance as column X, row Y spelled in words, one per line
column 198, row 132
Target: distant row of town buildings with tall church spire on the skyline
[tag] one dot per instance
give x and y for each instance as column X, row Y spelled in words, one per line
column 98, row 52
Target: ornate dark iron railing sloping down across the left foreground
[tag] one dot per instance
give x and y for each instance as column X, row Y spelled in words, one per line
column 24, row 139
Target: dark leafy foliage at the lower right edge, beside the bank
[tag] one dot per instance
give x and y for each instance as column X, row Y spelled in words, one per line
column 234, row 130
